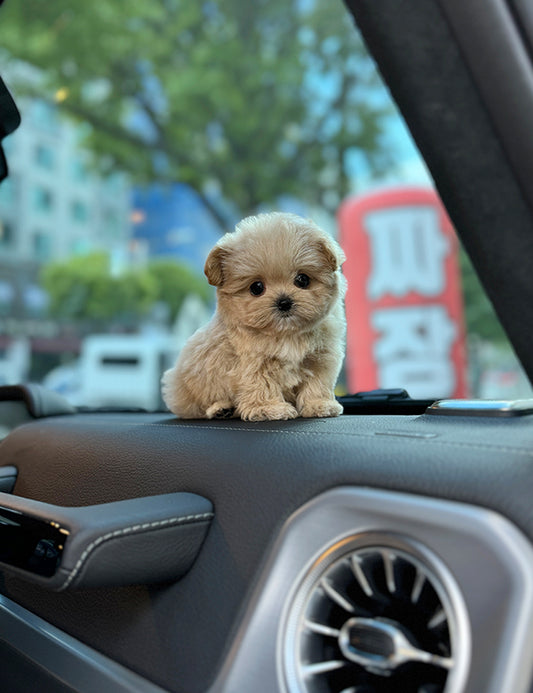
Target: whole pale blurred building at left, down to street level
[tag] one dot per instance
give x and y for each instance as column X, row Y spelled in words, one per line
column 53, row 205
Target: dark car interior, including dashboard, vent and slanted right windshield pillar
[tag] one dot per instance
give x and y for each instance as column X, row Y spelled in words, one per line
column 386, row 550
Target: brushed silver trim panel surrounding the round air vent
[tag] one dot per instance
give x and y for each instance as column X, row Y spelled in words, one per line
column 489, row 558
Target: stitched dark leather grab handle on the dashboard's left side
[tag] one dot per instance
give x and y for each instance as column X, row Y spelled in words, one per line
column 137, row 541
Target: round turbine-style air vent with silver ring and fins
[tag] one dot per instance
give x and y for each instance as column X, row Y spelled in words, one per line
column 369, row 619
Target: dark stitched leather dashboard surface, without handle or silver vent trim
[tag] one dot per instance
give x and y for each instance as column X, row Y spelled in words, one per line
column 256, row 476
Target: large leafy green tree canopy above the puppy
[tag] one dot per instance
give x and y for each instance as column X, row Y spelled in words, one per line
column 251, row 99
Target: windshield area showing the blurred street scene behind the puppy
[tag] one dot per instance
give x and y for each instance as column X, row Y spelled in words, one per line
column 149, row 129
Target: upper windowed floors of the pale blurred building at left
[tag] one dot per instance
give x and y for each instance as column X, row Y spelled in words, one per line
column 53, row 205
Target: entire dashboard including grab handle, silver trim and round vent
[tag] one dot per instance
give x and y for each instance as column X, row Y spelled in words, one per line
column 362, row 553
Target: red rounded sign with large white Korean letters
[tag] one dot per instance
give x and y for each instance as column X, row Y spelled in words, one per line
column 404, row 304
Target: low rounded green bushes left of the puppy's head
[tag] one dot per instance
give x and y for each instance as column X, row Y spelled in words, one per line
column 84, row 288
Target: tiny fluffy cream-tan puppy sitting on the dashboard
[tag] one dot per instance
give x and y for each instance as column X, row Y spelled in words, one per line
column 274, row 347
